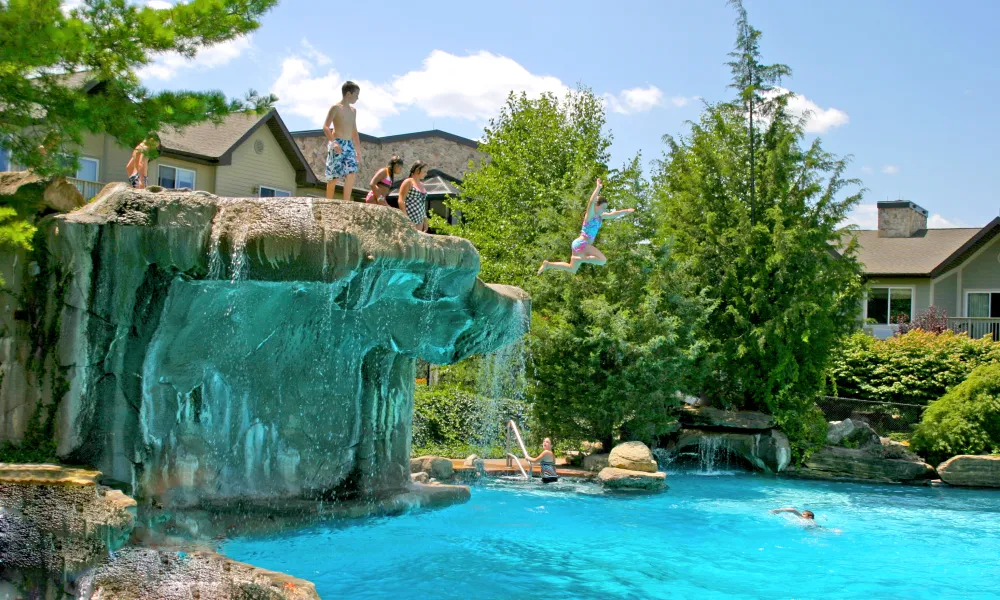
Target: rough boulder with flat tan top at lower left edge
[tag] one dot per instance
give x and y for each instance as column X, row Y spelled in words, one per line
column 59, row 519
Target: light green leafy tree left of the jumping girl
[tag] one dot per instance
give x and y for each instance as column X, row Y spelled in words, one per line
column 540, row 150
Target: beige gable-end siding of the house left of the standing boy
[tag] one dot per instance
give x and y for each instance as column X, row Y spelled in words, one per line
column 249, row 169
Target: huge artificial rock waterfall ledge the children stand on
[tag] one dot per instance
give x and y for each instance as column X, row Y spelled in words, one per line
column 195, row 348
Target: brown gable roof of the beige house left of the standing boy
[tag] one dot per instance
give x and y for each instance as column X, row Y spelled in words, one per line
column 214, row 144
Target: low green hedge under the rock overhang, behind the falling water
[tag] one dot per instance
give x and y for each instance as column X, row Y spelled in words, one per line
column 449, row 420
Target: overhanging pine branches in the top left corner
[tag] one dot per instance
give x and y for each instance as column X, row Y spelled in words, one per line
column 41, row 105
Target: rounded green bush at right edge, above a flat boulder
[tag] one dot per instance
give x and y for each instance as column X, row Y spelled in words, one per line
column 966, row 420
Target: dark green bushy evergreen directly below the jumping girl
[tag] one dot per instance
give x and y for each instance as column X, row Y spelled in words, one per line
column 612, row 346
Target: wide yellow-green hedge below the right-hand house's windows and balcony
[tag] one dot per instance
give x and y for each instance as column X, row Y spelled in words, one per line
column 915, row 368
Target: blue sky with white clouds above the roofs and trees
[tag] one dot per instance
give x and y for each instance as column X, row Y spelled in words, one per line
column 908, row 88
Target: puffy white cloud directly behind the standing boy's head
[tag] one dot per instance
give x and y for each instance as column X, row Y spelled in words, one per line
column 310, row 95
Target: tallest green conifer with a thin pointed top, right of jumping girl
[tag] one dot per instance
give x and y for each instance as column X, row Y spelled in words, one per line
column 765, row 244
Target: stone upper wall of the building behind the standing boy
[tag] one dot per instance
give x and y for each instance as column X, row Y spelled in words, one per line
column 440, row 153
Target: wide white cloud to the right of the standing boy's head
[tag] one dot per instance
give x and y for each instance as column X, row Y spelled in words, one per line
column 470, row 87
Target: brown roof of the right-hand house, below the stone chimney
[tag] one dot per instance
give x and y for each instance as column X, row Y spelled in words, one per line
column 927, row 254
